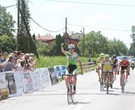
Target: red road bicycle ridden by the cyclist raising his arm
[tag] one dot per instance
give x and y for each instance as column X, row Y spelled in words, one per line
column 70, row 90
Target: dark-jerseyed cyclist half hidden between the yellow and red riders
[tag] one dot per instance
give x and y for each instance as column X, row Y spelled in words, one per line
column 115, row 66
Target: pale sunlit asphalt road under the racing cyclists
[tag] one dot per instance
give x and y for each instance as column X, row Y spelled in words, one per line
column 88, row 96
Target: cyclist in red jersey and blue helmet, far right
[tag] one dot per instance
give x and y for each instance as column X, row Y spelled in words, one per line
column 124, row 64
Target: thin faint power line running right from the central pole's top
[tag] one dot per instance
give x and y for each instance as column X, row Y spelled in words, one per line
column 99, row 27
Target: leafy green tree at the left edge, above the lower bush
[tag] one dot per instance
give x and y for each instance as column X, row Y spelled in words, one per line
column 6, row 22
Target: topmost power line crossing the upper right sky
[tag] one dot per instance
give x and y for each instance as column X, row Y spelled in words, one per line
column 88, row 3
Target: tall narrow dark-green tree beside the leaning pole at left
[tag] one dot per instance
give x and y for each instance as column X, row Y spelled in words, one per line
column 23, row 38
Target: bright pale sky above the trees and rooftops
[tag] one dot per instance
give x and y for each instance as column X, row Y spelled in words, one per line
column 114, row 18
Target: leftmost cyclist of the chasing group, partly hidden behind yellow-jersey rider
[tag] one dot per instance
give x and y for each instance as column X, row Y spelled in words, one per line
column 99, row 66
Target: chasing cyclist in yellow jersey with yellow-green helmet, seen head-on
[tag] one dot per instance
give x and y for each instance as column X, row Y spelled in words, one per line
column 107, row 66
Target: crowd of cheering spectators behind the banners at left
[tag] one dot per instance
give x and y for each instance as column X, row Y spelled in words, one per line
column 16, row 61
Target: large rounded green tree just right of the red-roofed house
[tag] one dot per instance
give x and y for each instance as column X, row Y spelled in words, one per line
column 95, row 42
